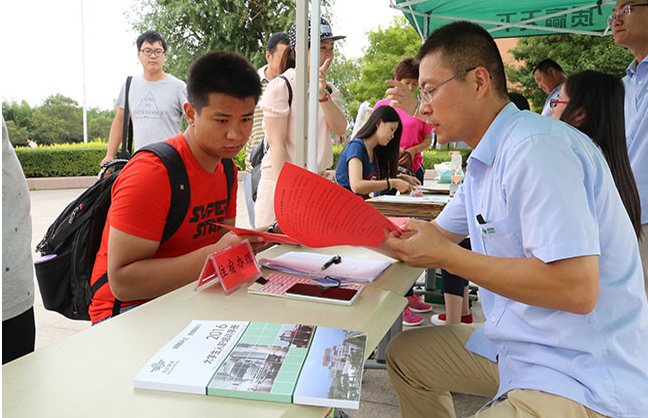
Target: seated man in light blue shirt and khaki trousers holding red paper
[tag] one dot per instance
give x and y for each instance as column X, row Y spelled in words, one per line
column 553, row 251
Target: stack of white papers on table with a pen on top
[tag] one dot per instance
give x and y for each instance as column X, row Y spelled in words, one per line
column 310, row 264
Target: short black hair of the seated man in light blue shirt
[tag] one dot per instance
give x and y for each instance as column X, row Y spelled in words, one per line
column 465, row 45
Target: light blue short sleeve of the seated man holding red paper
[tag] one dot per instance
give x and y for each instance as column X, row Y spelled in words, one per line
column 548, row 195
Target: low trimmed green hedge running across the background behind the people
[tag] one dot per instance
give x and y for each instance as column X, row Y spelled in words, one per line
column 70, row 160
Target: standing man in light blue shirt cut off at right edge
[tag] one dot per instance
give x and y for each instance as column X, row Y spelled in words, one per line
column 630, row 29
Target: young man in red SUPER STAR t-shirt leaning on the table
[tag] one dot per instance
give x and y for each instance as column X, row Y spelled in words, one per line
column 222, row 90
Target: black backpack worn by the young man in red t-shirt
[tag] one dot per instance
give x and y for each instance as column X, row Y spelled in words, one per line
column 71, row 243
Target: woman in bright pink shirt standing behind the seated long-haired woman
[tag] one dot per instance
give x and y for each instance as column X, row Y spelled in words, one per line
column 416, row 136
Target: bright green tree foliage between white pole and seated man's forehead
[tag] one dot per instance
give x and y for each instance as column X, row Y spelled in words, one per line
column 366, row 76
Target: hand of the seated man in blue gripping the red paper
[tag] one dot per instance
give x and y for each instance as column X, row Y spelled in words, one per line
column 425, row 247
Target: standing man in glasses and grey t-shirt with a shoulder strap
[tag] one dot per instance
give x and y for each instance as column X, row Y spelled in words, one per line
column 155, row 101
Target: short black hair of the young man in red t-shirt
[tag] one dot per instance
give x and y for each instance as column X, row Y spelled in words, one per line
column 223, row 72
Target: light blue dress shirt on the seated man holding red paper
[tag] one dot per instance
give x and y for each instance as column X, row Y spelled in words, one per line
column 544, row 190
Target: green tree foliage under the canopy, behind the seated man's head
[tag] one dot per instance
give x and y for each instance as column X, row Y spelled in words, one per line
column 574, row 53
